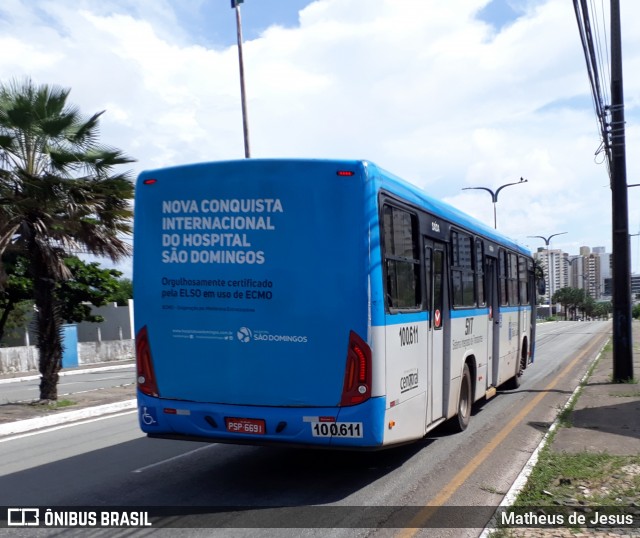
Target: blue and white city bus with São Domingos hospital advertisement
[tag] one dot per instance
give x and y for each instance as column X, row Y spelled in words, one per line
column 319, row 303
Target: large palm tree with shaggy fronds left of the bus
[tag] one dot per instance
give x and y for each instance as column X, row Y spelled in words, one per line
column 59, row 194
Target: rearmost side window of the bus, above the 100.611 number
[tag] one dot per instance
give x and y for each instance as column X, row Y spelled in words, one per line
column 401, row 259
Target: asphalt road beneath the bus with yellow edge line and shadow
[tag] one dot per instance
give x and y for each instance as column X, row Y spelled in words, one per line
column 108, row 462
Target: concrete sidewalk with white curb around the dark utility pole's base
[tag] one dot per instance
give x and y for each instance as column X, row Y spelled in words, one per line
column 605, row 419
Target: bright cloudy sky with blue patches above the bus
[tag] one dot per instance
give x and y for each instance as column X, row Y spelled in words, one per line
column 446, row 94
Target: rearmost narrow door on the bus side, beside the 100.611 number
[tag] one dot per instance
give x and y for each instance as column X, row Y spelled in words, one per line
column 435, row 282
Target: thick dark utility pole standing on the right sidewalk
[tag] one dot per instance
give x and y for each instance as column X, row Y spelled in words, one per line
column 622, row 338
